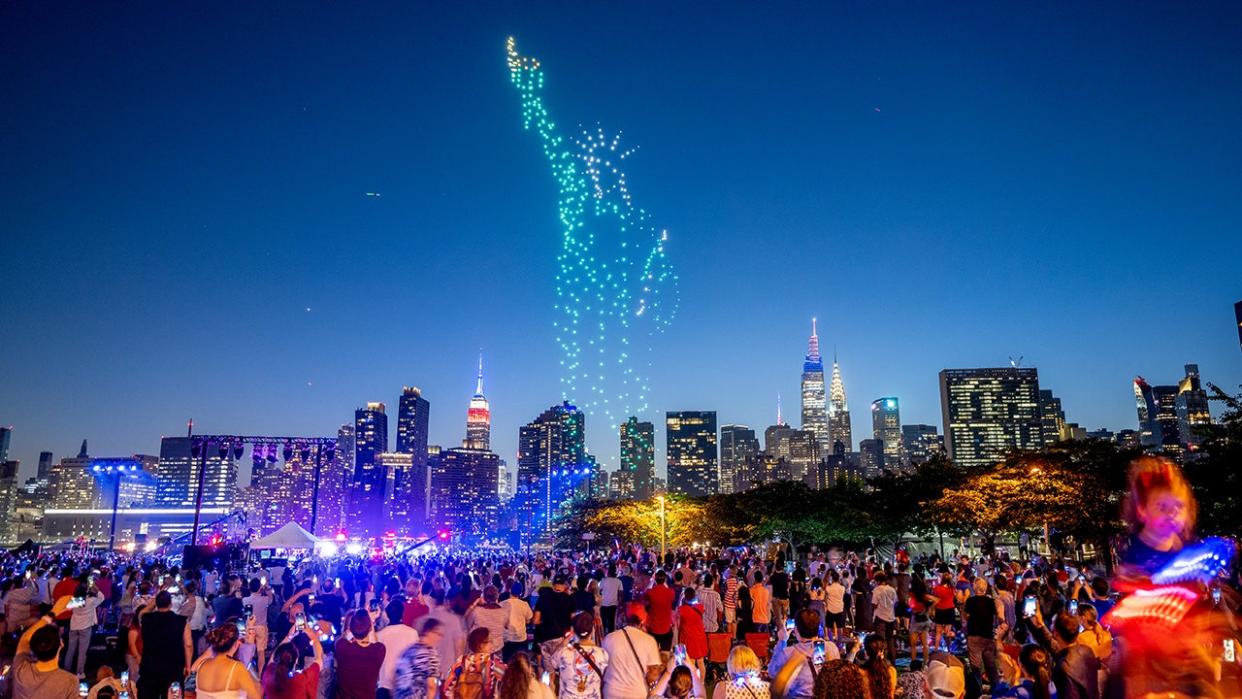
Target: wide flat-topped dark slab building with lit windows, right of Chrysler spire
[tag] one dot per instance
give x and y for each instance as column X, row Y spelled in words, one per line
column 989, row 413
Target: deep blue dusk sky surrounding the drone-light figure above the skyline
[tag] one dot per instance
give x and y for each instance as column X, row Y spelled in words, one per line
column 187, row 230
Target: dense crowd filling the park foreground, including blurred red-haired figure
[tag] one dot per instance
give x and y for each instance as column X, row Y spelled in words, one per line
column 618, row 624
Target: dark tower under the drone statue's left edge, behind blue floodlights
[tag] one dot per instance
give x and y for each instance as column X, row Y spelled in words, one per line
column 553, row 467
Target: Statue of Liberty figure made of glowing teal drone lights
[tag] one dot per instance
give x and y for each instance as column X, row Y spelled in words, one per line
column 615, row 287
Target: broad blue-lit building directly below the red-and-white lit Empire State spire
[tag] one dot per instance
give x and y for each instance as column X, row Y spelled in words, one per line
column 465, row 492
